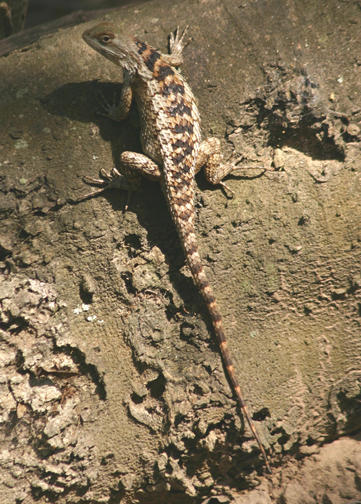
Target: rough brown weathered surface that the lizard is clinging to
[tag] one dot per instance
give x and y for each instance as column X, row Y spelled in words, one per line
column 111, row 388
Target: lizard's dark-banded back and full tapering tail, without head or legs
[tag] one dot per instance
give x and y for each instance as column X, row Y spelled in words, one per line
column 178, row 125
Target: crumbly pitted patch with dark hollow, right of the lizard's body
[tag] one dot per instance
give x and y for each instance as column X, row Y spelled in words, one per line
column 291, row 111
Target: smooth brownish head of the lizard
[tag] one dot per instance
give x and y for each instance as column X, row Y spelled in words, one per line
column 119, row 49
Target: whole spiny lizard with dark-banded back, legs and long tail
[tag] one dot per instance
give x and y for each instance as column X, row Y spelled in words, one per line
column 173, row 152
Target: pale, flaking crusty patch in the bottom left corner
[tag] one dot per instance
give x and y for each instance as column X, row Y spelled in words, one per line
column 47, row 392
